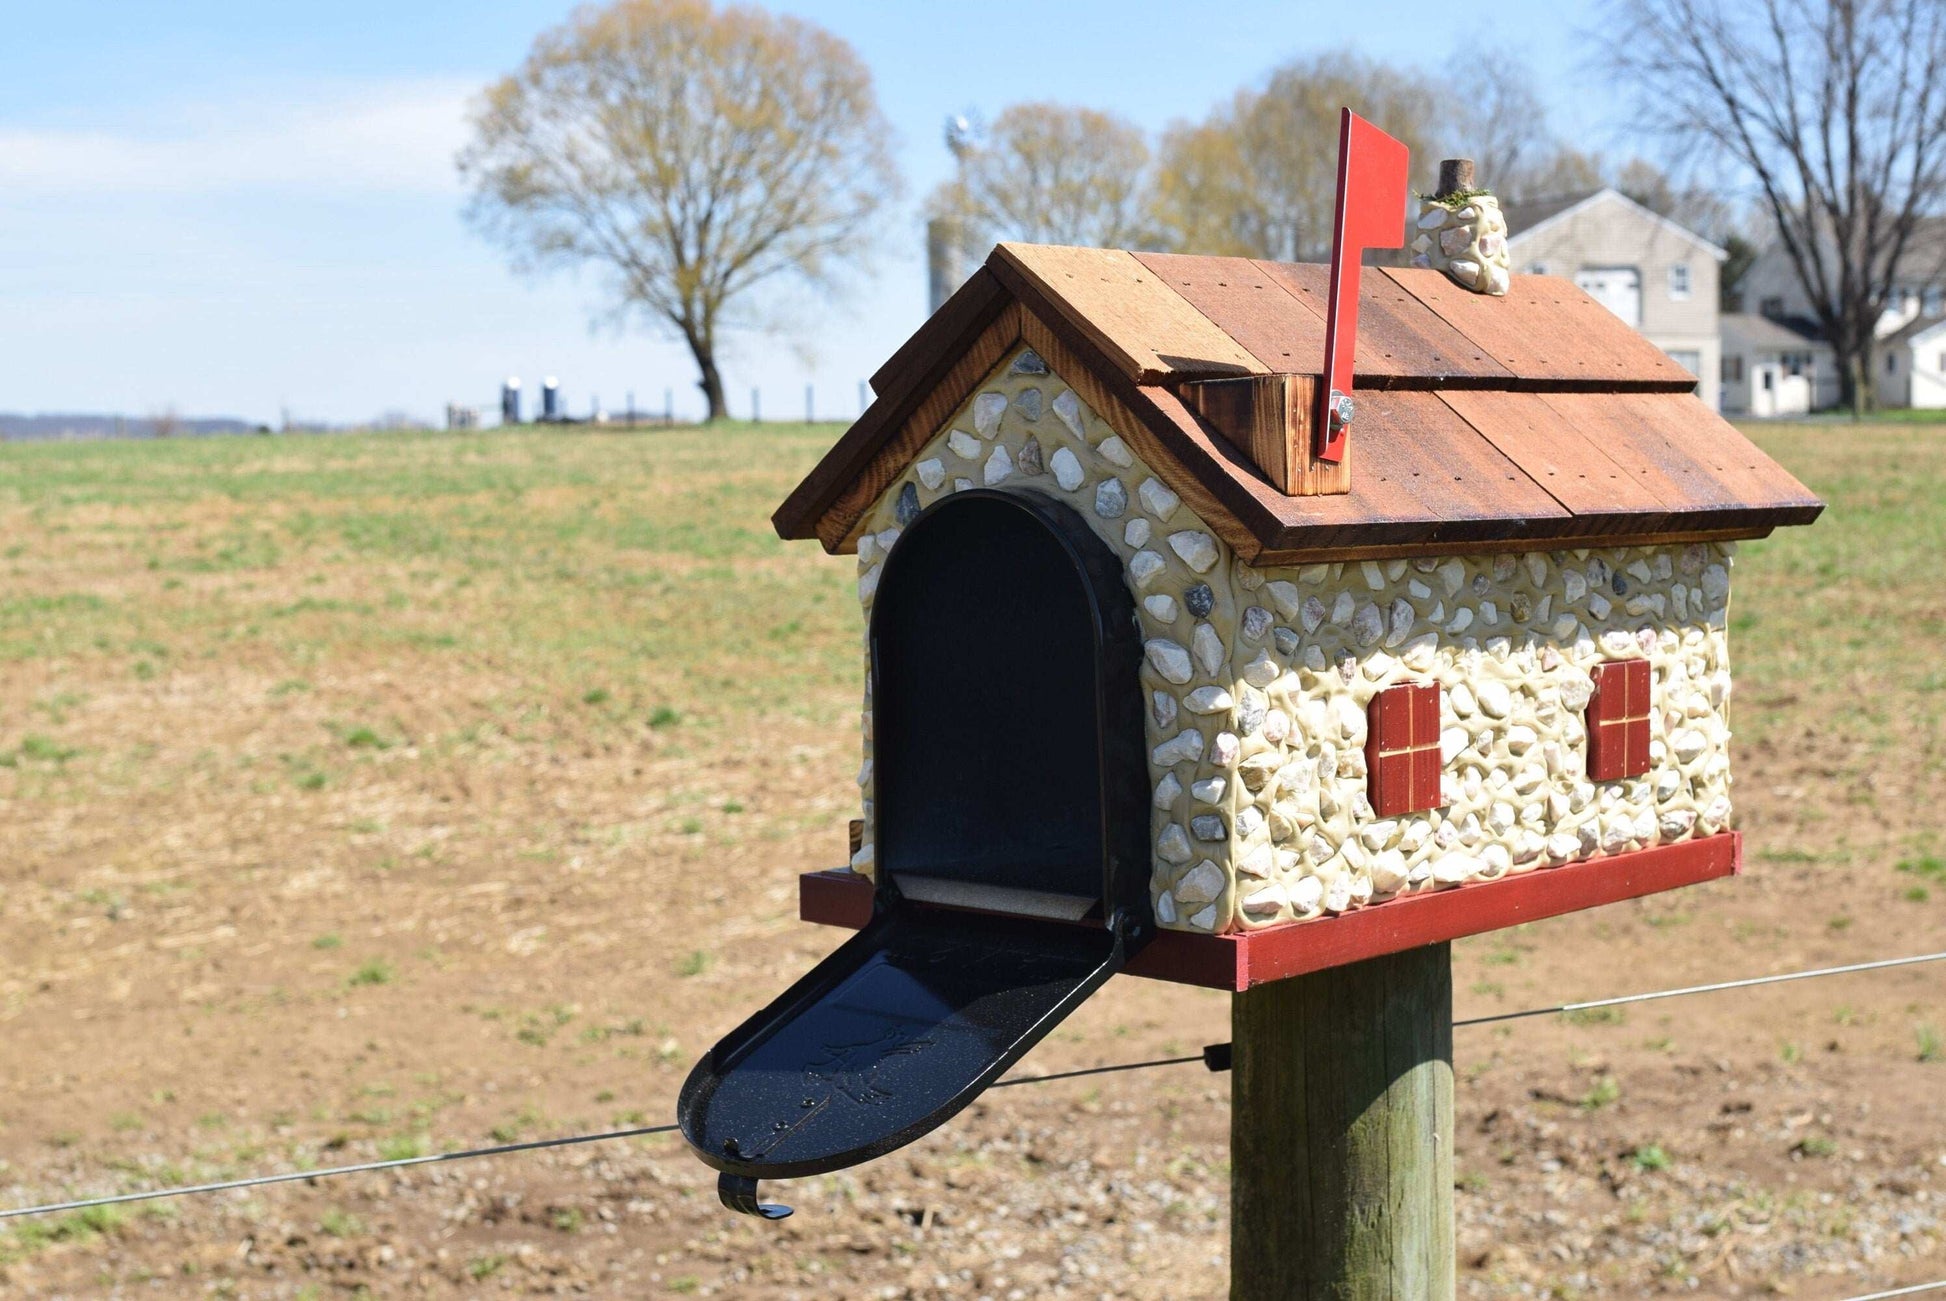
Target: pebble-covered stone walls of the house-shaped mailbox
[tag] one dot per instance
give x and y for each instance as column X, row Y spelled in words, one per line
column 1260, row 682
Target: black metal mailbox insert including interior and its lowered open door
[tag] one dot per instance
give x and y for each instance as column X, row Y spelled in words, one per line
column 1011, row 845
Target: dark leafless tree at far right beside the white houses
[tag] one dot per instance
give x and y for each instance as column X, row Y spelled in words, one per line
column 1838, row 114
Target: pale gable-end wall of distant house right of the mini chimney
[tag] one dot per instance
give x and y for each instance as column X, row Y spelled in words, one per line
column 1612, row 232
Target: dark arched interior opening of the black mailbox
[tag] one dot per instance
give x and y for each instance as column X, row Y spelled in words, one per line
column 1007, row 715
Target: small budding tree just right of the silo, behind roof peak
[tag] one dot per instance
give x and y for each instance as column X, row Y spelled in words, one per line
column 1052, row 174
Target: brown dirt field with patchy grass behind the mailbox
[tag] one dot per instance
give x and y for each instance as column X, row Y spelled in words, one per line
column 369, row 796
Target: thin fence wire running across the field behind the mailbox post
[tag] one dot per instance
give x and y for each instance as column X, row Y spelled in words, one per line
column 1215, row 1057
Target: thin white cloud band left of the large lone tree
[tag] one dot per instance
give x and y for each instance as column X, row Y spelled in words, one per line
column 390, row 137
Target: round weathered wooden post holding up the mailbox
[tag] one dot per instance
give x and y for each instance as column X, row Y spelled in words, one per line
column 1342, row 1133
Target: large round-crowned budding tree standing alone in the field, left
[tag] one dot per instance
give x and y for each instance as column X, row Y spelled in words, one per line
column 690, row 153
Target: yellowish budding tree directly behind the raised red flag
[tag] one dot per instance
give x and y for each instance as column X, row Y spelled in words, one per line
column 1260, row 176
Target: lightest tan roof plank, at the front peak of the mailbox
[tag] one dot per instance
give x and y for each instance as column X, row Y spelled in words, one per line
column 1141, row 326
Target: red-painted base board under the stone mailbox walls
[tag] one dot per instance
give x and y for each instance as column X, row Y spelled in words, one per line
column 1243, row 960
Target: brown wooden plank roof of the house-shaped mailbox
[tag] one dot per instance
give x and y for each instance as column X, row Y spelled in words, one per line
column 1532, row 421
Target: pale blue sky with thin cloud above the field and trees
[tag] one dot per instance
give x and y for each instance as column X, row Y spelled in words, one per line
column 238, row 207
